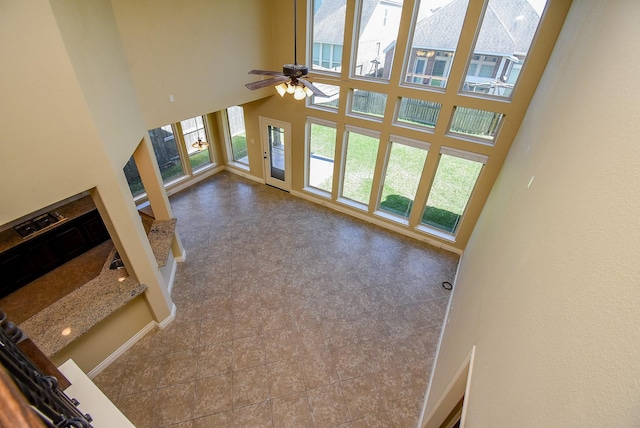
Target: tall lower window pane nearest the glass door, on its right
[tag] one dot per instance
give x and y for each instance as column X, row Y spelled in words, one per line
column 322, row 146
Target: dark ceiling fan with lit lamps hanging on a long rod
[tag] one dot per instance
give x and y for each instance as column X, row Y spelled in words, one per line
column 292, row 78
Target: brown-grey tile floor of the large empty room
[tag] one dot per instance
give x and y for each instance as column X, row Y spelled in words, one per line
column 289, row 315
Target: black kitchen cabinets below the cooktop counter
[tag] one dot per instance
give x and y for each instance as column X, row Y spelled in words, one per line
column 43, row 253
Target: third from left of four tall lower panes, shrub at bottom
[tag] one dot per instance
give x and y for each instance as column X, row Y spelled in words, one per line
column 401, row 179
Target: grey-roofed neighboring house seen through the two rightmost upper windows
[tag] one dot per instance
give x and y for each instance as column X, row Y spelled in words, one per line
column 506, row 34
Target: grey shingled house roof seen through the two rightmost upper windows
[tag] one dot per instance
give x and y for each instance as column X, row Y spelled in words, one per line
column 508, row 27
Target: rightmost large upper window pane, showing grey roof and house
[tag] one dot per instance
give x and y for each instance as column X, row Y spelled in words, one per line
column 506, row 32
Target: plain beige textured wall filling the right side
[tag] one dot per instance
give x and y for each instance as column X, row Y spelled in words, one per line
column 548, row 286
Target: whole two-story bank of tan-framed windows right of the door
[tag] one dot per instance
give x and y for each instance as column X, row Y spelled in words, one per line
column 456, row 77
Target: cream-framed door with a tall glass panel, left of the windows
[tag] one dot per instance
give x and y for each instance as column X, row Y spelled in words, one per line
column 276, row 152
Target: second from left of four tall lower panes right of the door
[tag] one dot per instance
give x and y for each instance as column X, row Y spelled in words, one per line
column 360, row 162
